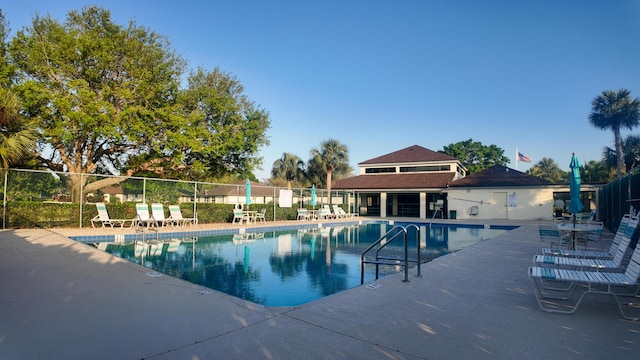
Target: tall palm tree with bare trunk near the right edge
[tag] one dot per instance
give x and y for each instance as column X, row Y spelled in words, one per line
column 615, row 110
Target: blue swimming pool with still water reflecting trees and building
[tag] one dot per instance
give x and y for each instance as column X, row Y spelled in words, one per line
column 286, row 267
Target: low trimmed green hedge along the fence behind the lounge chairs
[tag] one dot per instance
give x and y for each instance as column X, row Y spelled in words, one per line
column 31, row 214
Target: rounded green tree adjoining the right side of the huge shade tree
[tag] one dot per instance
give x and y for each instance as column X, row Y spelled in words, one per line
column 224, row 130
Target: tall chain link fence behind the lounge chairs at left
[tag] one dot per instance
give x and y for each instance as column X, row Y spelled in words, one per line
column 34, row 198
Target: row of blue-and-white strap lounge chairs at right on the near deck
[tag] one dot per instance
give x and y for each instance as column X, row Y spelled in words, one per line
column 558, row 273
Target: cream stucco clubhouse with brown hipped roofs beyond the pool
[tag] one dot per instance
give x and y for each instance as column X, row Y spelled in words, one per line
column 418, row 182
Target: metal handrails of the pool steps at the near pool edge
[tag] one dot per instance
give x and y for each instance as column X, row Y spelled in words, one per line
column 391, row 235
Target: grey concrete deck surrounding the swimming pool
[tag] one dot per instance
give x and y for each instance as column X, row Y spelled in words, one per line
column 60, row 299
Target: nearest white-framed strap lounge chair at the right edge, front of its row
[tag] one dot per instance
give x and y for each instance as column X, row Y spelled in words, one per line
column 615, row 284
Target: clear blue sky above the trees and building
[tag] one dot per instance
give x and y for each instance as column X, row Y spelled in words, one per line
column 379, row 76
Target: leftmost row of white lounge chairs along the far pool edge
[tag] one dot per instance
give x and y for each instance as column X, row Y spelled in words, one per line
column 155, row 218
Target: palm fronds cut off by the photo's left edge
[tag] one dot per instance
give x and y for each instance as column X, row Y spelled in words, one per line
column 17, row 135
